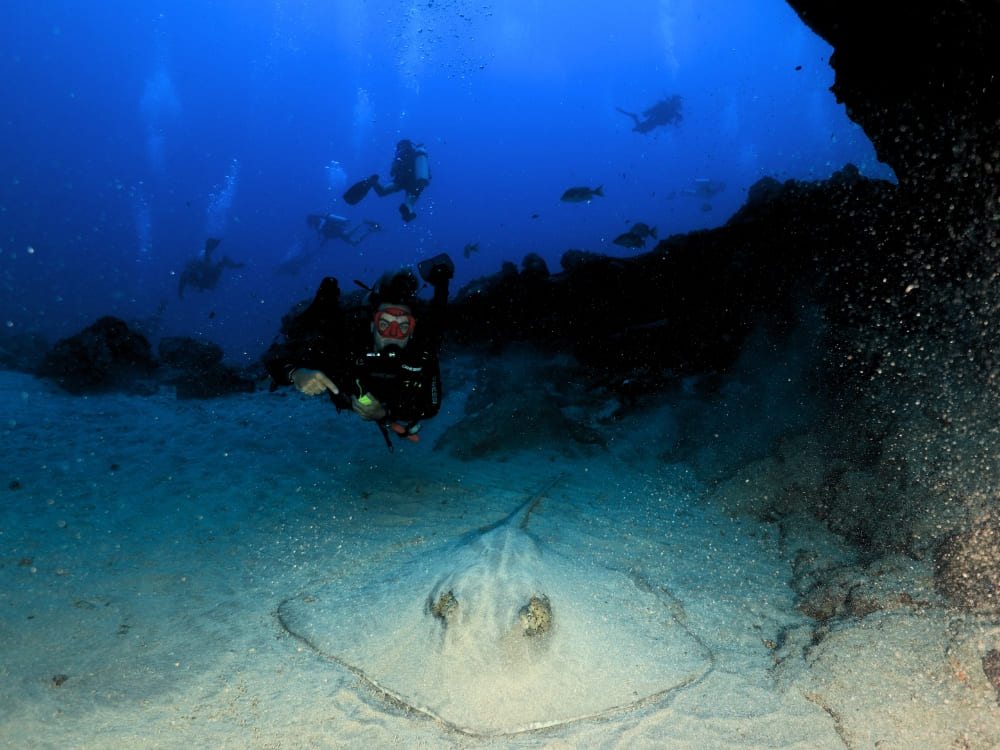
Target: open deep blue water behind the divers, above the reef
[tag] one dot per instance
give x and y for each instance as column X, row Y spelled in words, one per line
column 133, row 131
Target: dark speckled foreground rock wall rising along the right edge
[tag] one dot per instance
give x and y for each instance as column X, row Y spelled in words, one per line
column 918, row 346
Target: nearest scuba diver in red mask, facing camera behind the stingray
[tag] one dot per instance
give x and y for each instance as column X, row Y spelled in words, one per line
column 379, row 360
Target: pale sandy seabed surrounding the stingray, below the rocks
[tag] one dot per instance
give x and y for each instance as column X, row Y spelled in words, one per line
column 148, row 544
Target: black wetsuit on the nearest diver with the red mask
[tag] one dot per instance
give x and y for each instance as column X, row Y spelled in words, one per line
column 407, row 381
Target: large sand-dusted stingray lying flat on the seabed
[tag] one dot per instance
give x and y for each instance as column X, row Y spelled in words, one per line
column 495, row 634
